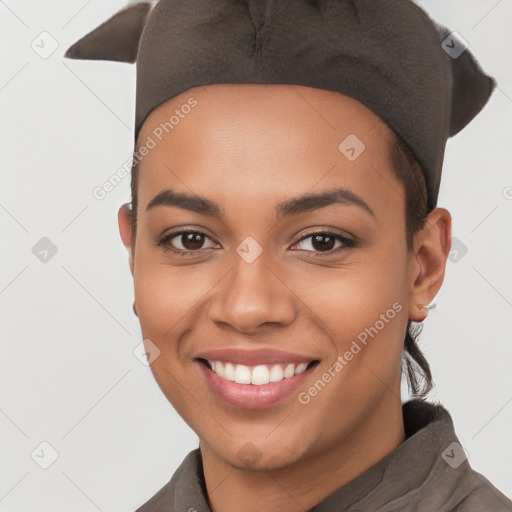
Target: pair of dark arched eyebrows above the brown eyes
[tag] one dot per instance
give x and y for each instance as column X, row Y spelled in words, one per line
column 293, row 206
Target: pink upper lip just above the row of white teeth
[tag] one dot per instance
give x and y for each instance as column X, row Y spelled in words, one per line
column 254, row 357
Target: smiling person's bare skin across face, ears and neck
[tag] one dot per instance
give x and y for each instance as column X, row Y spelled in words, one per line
column 249, row 147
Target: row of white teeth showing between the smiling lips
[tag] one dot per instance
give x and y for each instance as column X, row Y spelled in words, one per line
column 257, row 375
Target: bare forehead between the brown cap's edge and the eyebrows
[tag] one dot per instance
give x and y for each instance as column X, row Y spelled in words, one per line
column 264, row 141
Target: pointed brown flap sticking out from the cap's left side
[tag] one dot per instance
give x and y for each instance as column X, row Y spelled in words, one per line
column 117, row 38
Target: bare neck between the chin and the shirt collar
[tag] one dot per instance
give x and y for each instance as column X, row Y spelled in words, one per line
column 308, row 481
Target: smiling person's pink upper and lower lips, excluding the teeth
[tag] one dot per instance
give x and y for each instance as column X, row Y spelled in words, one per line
column 251, row 396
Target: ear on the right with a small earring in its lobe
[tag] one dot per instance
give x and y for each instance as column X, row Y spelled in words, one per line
column 428, row 261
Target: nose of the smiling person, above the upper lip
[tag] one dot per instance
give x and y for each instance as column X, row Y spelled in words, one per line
column 251, row 295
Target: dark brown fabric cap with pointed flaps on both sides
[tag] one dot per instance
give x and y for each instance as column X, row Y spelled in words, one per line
column 387, row 54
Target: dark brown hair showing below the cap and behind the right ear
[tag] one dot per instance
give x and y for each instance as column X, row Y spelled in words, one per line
column 409, row 172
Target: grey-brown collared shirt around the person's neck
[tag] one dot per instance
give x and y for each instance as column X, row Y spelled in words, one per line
column 428, row 472
